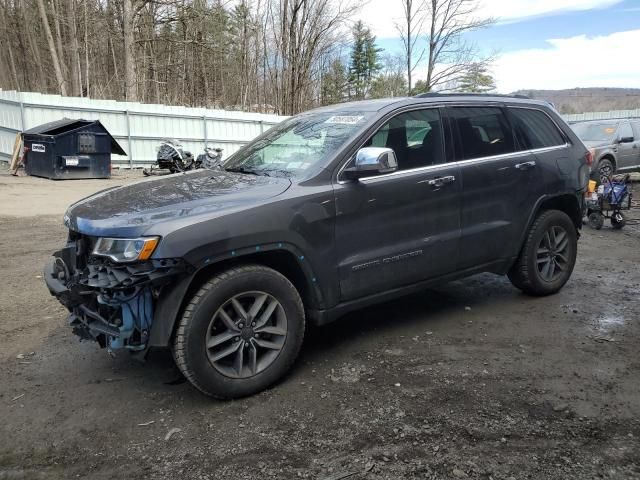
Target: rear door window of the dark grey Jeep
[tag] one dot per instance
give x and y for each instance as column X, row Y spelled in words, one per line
column 481, row 132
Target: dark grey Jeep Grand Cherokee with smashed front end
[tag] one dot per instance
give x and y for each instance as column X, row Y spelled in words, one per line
column 327, row 212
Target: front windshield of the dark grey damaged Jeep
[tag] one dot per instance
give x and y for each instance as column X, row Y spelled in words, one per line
column 298, row 145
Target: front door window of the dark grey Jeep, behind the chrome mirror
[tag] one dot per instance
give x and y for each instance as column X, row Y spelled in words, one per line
column 415, row 137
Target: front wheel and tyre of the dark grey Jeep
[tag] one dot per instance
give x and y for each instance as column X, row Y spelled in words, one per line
column 240, row 333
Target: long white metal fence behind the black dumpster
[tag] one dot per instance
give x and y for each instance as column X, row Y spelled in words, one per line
column 138, row 127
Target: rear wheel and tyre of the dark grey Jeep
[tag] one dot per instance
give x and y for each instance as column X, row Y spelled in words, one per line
column 548, row 256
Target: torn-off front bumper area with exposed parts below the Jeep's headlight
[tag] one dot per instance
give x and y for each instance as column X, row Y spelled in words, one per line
column 108, row 302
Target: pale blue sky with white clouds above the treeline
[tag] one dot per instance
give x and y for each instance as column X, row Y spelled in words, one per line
column 542, row 44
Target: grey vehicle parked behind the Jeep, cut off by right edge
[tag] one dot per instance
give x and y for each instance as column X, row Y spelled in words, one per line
column 614, row 145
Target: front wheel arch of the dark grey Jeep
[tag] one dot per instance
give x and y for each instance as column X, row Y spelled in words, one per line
column 284, row 259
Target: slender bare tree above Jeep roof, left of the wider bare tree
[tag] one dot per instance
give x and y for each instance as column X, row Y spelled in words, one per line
column 410, row 32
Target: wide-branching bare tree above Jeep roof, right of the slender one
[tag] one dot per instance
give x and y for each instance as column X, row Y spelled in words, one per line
column 449, row 55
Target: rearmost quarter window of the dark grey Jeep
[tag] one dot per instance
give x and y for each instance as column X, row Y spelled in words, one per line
column 534, row 129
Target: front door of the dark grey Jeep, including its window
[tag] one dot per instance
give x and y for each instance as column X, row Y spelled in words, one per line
column 403, row 227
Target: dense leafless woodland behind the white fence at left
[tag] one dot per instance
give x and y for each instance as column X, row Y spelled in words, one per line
column 262, row 55
